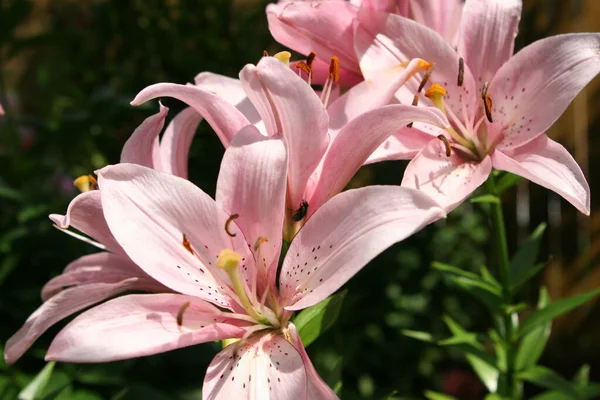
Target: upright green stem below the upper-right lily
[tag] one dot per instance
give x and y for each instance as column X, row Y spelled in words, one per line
column 509, row 386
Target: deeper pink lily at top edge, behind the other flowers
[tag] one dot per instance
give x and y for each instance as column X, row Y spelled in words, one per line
column 327, row 27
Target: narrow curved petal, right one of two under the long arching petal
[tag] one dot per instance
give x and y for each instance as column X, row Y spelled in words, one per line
column 176, row 142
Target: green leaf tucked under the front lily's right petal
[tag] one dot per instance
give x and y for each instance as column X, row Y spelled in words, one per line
column 312, row 322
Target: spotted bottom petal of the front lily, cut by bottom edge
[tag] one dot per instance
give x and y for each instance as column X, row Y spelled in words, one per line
column 264, row 367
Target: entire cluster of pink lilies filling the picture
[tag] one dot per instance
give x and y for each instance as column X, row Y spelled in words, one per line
column 431, row 81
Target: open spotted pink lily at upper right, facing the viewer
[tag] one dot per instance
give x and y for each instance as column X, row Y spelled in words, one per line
column 499, row 105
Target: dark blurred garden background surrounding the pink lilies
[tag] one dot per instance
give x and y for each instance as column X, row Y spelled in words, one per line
column 68, row 70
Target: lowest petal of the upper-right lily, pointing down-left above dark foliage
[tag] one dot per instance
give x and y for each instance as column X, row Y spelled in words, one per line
column 449, row 180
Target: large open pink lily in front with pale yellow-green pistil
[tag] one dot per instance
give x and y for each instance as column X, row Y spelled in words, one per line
column 225, row 252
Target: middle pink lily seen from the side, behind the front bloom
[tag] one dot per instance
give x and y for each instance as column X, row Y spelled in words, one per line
column 326, row 146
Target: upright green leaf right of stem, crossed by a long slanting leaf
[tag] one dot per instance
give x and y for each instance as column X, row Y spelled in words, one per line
column 532, row 345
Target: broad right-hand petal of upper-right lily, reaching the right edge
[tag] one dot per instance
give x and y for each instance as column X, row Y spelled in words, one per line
column 535, row 86
